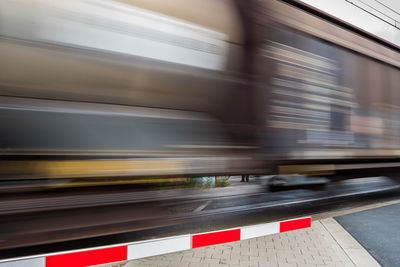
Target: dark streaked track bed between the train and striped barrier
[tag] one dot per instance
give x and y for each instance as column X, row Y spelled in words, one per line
column 42, row 228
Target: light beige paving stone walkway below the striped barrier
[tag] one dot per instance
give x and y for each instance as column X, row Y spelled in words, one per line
column 324, row 244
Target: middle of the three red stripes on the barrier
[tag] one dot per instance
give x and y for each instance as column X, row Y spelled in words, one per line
column 215, row 238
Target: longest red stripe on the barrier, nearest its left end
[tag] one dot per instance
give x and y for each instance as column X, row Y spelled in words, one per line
column 88, row 258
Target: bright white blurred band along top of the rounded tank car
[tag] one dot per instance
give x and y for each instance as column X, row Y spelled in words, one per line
column 116, row 27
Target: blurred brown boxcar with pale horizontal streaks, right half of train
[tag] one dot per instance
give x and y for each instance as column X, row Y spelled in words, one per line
column 329, row 92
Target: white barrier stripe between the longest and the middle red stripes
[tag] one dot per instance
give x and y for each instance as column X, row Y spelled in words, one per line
column 158, row 246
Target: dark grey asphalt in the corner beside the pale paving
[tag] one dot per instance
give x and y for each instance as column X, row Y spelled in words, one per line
column 377, row 231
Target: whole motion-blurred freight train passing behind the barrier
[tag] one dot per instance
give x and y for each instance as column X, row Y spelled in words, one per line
column 129, row 88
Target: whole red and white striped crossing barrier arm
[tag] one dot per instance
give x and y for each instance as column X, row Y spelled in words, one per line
column 142, row 249
